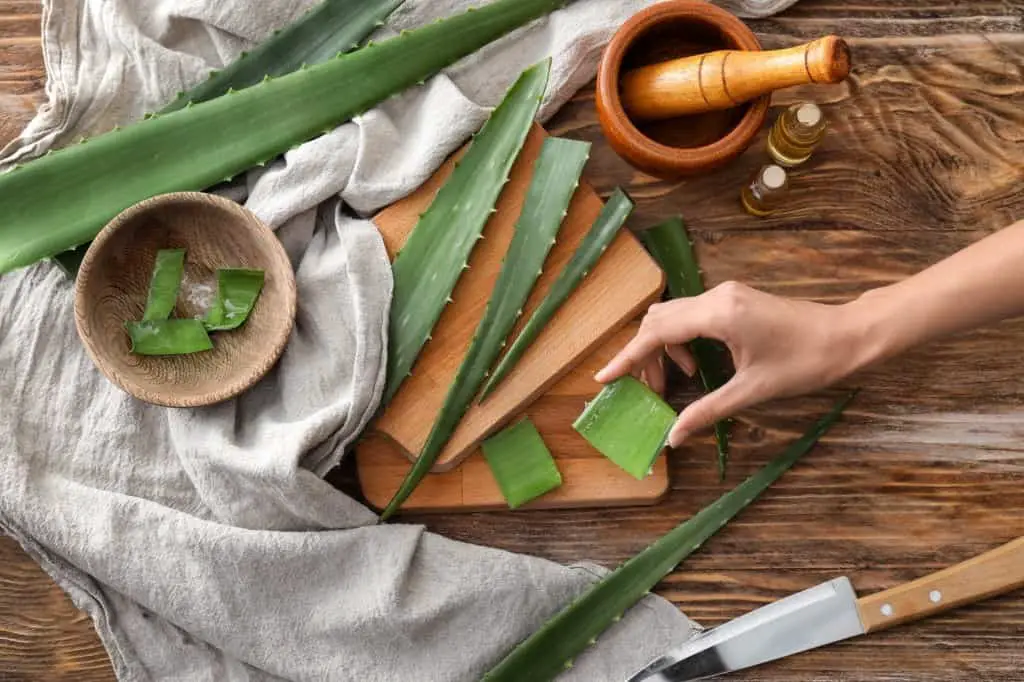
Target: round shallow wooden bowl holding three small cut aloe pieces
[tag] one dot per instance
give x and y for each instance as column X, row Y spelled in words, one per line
column 114, row 281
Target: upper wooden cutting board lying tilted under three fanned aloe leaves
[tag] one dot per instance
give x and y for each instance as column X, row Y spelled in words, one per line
column 625, row 281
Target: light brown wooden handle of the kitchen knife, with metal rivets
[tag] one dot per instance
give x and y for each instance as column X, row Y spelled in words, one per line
column 987, row 576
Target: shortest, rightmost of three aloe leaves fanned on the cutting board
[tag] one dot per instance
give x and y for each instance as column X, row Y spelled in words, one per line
column 598, row 240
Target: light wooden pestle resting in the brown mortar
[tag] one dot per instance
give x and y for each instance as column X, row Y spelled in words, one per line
column 727, row 78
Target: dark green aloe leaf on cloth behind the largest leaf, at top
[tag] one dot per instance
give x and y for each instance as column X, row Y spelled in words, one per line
column 326, row 31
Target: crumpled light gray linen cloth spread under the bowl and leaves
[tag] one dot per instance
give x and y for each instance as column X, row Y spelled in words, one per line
column 204, row 543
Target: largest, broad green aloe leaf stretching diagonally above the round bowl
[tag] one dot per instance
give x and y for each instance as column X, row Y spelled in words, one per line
column 195, row 148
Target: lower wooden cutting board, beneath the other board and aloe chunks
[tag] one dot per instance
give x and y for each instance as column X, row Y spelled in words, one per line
column 589, row 480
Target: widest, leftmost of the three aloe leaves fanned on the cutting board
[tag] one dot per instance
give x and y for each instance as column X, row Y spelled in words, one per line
column 438, row 250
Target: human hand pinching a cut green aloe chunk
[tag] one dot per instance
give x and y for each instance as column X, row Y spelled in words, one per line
column 781, row 348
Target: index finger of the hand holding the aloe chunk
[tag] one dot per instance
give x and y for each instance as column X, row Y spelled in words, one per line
column 665, row 324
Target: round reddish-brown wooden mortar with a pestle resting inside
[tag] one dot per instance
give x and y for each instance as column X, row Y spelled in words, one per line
column 687, row 145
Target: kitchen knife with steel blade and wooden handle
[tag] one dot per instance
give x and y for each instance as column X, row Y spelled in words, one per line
column 831, row 613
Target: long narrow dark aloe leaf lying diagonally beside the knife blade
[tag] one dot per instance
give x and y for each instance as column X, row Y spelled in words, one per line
column 552, row 649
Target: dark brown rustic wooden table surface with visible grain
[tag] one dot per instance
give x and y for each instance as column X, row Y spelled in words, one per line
column 926, row 155
